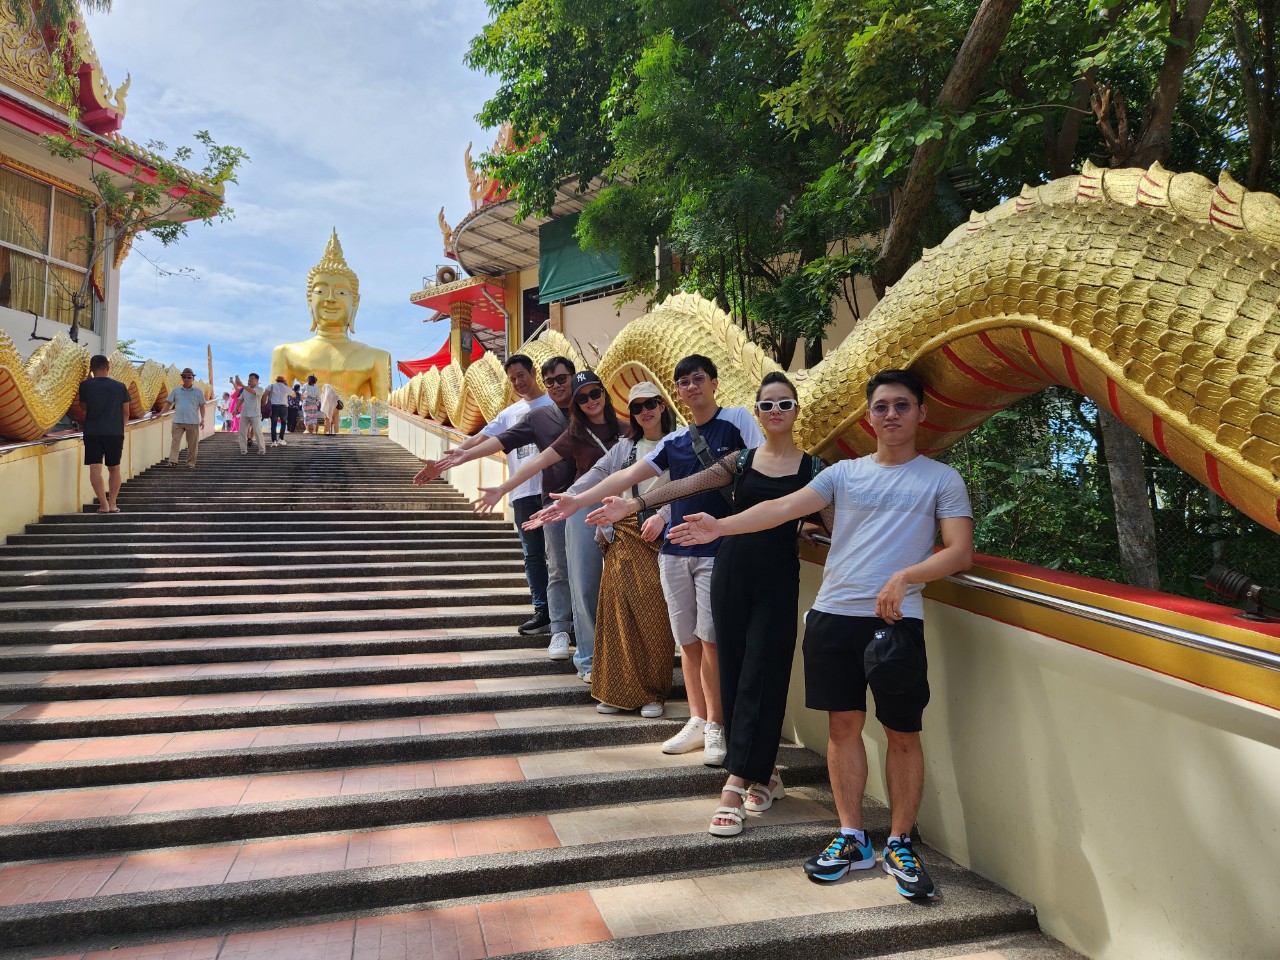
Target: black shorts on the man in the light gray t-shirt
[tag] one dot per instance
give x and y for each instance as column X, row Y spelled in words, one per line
column 834, row 675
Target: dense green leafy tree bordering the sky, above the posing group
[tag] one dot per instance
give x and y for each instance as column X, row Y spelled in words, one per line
column 664, row 103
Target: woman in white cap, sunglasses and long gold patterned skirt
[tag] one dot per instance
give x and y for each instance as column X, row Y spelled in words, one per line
column 634, row 647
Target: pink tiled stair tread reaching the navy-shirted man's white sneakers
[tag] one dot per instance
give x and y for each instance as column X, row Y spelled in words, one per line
column 170, row 746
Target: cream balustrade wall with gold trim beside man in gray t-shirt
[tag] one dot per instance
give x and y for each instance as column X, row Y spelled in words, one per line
column 1136, row 810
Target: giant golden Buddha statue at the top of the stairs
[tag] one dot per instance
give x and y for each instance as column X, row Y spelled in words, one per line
column 348, row 365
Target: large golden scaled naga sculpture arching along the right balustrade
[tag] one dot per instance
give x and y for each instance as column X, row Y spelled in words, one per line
column 1156, row 295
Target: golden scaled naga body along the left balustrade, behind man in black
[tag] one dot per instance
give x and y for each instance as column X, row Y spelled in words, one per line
column 35, row 395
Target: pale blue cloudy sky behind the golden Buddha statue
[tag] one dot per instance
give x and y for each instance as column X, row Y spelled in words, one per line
column 355, row 116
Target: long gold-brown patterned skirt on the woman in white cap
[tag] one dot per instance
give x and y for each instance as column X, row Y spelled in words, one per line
column 634, row 647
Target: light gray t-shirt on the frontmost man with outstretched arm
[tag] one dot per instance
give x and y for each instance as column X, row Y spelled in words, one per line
column 886, row 520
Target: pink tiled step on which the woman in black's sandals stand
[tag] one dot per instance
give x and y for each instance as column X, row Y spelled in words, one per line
column 80, row 821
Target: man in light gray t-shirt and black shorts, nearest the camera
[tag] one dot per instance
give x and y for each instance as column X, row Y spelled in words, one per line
column 889, row 511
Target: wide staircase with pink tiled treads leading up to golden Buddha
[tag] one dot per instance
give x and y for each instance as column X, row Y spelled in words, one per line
column 277, row 708
